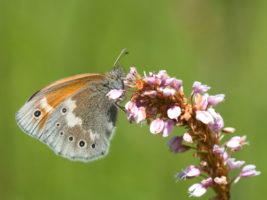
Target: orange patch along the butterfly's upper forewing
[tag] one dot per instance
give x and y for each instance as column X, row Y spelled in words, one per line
column 62, row 92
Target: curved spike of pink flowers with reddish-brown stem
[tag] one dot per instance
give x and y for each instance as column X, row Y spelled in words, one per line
column 159, row 101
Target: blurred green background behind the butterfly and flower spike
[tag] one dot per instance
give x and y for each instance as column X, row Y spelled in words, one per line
column 221, row 43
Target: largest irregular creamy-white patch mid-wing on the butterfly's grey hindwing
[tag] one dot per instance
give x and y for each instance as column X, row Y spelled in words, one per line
column 72, row 120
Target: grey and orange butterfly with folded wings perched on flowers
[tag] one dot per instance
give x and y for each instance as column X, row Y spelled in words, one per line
column 73, row 116
